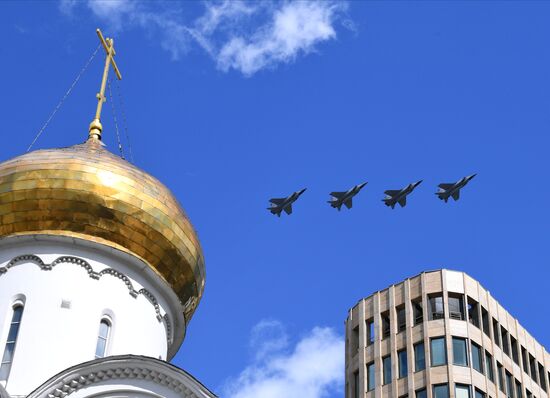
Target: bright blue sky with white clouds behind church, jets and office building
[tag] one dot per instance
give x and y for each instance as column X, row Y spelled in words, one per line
column 231, row 105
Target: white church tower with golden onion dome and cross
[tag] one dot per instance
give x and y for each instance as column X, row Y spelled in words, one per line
column 100, row 273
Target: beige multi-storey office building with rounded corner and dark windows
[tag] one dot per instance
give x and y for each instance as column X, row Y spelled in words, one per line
column 441, row 334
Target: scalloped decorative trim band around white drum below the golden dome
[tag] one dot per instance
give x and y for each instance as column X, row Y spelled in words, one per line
column 32, row 258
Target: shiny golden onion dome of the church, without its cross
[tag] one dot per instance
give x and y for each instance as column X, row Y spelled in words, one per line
column 84, row 191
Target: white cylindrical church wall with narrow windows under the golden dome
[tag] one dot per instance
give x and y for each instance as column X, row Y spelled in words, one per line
column 63, row 308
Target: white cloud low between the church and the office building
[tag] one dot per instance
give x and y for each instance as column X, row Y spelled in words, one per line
column 313, row 368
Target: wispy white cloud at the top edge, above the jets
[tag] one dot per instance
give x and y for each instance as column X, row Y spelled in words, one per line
column 239, row 35
